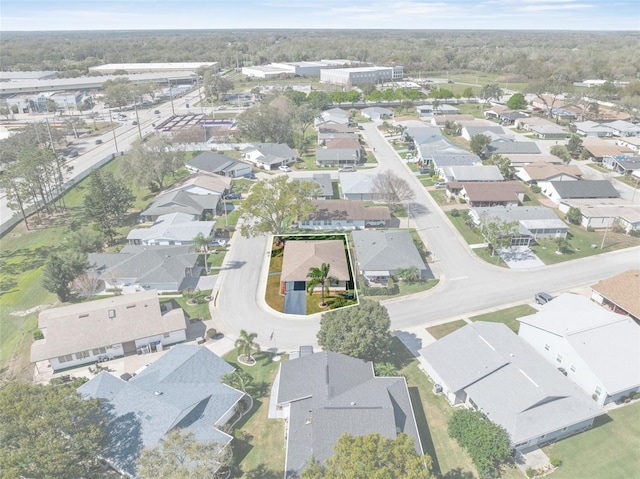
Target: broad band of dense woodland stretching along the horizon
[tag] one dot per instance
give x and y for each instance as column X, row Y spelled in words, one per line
column 517, row 55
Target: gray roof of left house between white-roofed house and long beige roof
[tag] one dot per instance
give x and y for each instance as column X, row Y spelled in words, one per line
column 144, row 263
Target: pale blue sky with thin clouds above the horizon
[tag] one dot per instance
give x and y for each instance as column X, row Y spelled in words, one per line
column 44, row 15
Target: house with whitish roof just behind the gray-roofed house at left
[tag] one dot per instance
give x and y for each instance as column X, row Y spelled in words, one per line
column 171, row 229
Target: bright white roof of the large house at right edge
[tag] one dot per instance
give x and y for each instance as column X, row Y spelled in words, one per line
column 608, row 342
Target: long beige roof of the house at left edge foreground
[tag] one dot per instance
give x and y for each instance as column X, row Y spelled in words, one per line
column 102, row 322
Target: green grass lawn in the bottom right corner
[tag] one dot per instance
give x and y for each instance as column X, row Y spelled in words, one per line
column 609, row 450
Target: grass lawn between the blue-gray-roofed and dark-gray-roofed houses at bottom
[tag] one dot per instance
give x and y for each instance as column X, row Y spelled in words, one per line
column 259, row 448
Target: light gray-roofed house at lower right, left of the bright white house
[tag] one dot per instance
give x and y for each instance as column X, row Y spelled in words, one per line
column 487, row 367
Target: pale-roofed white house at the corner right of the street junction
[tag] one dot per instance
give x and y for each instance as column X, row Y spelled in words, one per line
column 534, row 222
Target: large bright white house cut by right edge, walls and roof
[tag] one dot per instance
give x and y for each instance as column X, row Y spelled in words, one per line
column 595, row 348
